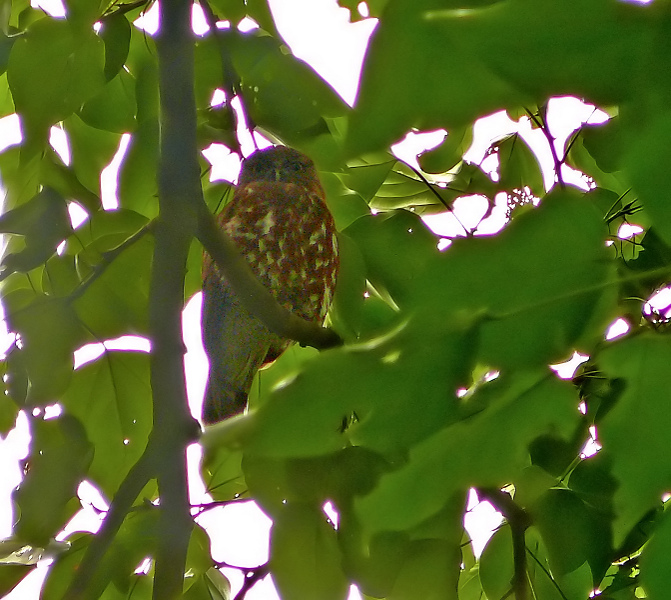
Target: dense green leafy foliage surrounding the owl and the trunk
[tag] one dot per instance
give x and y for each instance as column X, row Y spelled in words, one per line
column 380, row 427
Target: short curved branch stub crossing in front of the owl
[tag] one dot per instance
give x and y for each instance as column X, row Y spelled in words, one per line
column 253, row 295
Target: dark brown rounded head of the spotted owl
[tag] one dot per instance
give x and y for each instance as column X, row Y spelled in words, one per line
column 279, row 164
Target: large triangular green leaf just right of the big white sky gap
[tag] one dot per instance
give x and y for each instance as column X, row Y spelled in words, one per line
column 405, row 40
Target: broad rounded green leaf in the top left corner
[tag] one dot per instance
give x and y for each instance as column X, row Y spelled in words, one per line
column 53, row 70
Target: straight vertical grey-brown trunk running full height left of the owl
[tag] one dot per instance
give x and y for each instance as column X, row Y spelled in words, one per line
column 179, row 187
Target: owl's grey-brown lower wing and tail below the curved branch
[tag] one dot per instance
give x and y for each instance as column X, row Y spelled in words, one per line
column 236, row 343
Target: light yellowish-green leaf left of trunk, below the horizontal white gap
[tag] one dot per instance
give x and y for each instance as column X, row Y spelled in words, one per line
column 111, row 396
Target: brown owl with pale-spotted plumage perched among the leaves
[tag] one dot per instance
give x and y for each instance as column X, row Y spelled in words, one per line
column 279, row 221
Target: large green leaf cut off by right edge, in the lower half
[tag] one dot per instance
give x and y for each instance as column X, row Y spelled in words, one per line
column 641, row 413
